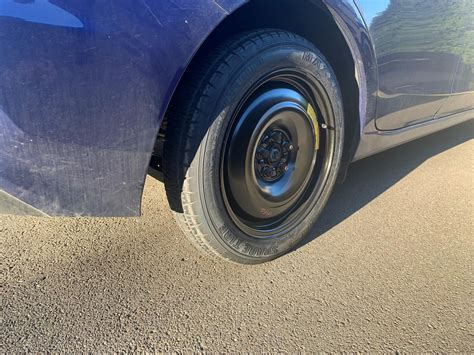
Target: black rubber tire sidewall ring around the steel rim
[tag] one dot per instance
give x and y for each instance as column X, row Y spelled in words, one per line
column 226, row 237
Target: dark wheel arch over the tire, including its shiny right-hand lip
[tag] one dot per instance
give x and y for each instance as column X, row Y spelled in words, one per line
column 348, row 49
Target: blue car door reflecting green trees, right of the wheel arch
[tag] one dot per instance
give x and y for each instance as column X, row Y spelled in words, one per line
column 418, row 44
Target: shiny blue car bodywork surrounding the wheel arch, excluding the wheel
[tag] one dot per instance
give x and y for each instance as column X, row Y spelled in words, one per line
column 85, row 84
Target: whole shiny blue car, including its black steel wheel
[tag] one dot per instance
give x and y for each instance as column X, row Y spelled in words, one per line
column 249, row 111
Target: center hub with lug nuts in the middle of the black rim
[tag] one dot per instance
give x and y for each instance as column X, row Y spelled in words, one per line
column 272, row 155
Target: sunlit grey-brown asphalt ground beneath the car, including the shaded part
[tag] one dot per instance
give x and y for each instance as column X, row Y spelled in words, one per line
column 390, row 269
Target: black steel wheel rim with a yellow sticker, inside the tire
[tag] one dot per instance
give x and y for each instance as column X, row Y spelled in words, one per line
column 276, row 154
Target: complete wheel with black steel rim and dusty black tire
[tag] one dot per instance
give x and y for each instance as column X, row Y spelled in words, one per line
column 253, row 146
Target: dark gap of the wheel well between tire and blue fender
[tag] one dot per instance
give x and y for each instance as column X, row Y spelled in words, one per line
column 310, row 20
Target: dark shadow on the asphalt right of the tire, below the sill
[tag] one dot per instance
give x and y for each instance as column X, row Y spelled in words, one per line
column 370, row 177
